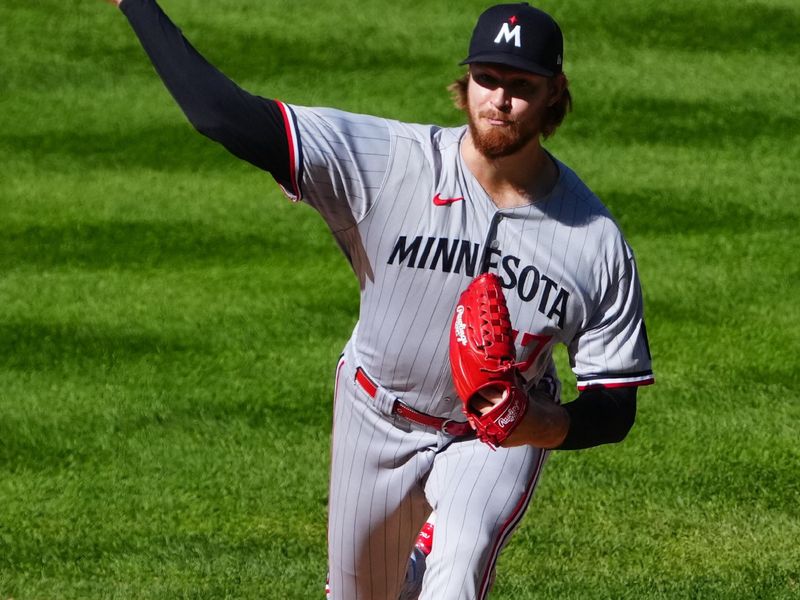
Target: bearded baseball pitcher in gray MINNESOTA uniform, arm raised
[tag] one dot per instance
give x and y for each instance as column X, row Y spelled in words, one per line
column 420, row 211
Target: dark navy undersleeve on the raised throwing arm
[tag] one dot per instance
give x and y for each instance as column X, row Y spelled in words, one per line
column 249, row 126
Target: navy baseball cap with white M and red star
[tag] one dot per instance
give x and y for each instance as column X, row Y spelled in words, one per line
column 519, row 36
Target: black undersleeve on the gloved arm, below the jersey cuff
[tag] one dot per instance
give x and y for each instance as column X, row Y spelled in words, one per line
column 600, row 416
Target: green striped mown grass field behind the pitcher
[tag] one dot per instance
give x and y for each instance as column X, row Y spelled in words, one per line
column 169, row 324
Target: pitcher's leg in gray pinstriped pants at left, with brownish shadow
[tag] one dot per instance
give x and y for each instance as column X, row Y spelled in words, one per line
column 376, row 502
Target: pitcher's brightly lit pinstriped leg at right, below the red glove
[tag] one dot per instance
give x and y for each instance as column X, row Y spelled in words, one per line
column 479, row 497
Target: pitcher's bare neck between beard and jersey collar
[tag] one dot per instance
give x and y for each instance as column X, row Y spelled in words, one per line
column 515, row 180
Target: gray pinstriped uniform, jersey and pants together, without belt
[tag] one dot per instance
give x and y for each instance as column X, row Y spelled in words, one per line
column 569, row 278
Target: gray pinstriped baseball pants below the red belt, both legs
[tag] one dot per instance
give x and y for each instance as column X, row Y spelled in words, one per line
column 387, row 475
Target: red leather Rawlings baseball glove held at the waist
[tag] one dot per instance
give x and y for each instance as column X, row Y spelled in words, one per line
column 482, row 360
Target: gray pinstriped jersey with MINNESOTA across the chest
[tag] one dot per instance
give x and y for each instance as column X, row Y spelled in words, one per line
column 568, row 274
